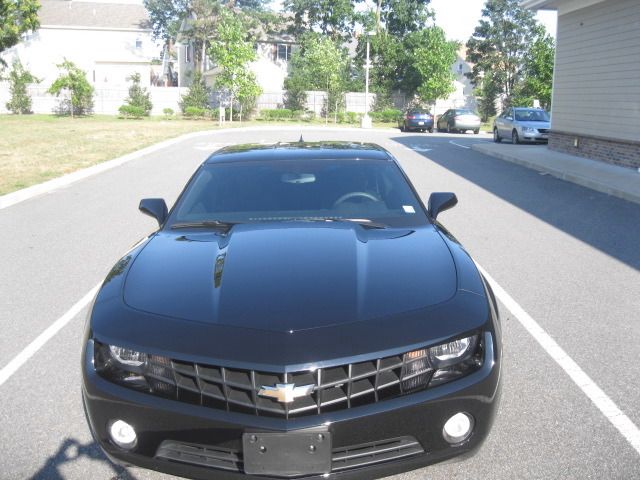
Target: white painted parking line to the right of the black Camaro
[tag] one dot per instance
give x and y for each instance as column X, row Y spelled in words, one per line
column 599, row 398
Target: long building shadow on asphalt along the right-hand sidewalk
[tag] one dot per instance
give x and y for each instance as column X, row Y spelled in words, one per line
column 608, row 223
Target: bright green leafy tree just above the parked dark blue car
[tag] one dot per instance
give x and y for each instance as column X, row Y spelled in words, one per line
column 429, row 74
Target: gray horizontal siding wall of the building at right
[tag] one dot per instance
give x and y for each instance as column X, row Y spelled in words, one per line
column 597, row 77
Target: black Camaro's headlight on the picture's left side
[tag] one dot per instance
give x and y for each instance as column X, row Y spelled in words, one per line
column 130, row 368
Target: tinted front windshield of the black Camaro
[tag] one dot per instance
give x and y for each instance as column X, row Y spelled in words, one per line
column 308, row 190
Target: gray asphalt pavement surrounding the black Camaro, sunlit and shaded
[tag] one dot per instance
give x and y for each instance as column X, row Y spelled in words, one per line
column 568, row 255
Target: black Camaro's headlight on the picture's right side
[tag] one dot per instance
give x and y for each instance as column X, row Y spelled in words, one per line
column 441, row 363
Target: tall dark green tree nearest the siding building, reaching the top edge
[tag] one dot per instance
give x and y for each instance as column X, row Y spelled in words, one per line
column 500, row 43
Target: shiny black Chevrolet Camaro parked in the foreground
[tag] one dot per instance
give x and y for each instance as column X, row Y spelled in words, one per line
column 299, row 313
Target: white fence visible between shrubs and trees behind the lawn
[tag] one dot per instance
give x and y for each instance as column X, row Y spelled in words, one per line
column 108, row 100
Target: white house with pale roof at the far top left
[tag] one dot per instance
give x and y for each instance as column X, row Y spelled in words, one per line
column 109, row 41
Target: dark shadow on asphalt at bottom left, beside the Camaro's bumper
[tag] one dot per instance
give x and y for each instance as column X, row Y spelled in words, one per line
column 70, row 451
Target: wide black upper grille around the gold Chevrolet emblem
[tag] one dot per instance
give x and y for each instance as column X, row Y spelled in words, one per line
column 330, row 389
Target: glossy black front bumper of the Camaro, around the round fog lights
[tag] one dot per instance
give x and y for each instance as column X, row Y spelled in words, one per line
column 204, row 443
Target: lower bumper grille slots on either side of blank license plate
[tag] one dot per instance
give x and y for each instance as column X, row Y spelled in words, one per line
column 343, row 458
